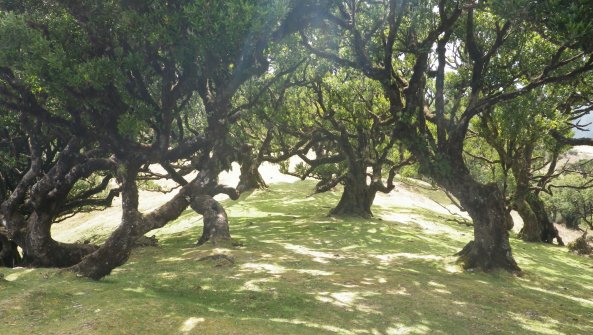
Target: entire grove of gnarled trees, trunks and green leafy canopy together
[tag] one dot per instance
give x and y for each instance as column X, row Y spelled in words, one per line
column 93, row 94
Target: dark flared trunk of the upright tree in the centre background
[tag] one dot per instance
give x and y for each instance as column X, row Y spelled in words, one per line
column 357, row 198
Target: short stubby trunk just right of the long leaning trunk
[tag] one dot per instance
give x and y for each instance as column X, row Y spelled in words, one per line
column 216, row 224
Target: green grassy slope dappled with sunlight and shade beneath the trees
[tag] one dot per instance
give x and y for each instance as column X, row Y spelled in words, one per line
column 301, row 272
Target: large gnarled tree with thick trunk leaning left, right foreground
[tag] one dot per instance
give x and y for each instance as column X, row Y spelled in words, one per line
column 433, row 97
